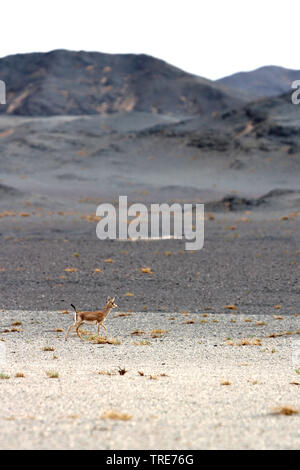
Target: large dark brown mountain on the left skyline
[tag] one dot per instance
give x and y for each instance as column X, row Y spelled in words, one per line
column 65, row 82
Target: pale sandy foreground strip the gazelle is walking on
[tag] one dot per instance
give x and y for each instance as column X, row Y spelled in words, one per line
column 179, row 402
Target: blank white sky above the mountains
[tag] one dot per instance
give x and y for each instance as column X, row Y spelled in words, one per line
column 211, row 38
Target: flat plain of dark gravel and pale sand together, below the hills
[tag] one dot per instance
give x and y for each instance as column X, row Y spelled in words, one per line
column 209, row 338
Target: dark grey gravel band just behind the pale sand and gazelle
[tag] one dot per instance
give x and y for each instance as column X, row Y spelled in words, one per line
column 254, row 266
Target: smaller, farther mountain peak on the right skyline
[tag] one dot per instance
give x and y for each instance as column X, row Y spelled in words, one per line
column 263, row 82
